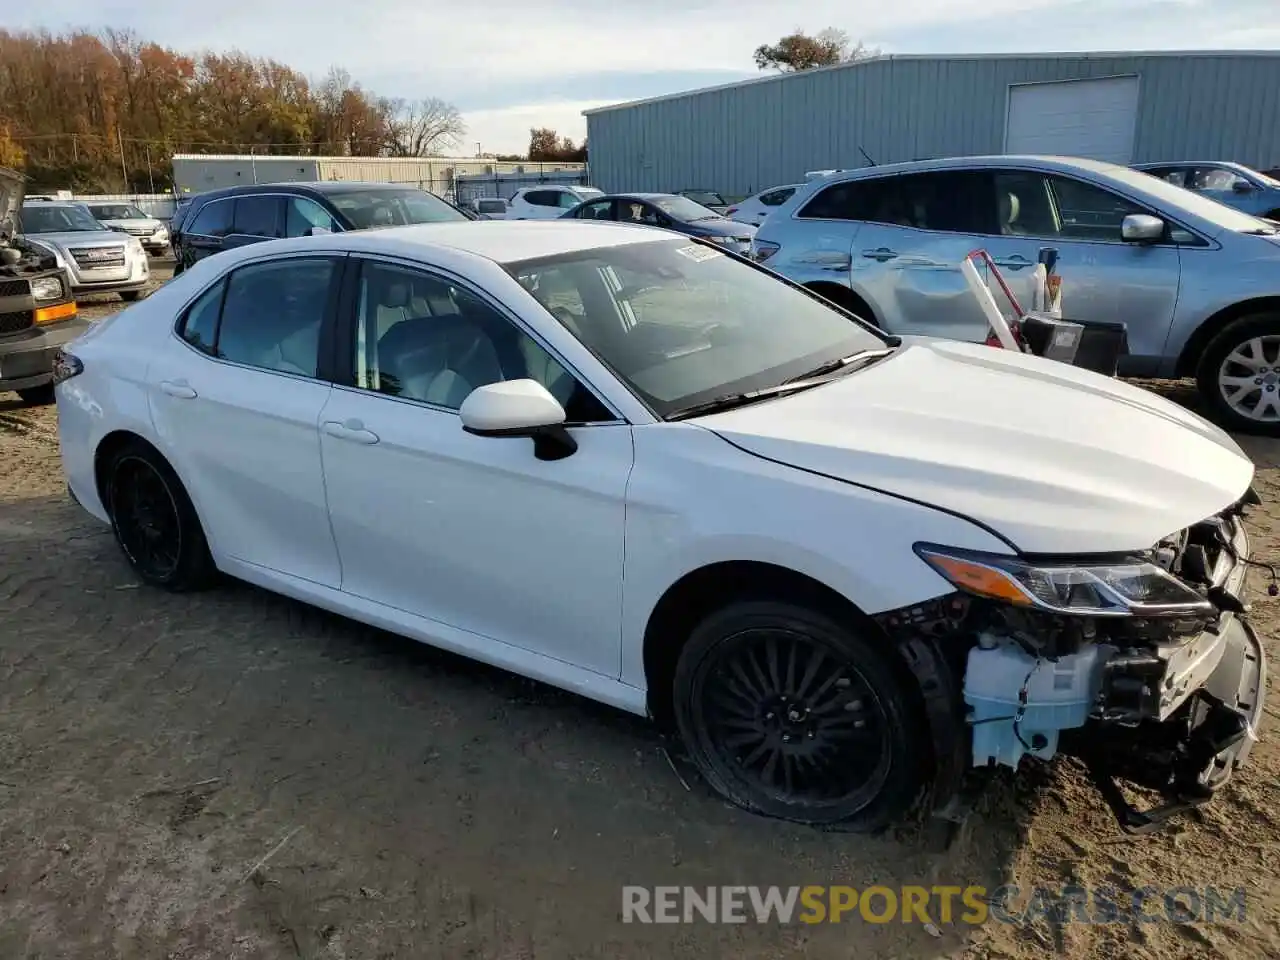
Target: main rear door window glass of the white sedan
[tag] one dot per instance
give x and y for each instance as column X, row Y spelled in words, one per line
column 273, row 313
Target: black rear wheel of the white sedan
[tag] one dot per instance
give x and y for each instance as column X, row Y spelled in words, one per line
column 156, row 523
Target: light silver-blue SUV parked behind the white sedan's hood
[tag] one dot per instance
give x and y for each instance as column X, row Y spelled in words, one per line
column 1197, row 282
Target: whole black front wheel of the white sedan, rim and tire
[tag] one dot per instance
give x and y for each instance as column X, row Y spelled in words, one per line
column 792, row 715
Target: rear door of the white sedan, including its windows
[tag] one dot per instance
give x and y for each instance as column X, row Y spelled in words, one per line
column 237, row 406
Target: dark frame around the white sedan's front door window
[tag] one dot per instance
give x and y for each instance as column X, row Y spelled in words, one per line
column 346, row 319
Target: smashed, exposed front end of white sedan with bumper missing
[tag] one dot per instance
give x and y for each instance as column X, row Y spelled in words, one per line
column 1155, row 680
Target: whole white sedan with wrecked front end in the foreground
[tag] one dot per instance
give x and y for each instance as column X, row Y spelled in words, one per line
column 851, row 570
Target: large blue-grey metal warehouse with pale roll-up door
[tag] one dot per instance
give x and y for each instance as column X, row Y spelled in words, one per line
column 1126, row 108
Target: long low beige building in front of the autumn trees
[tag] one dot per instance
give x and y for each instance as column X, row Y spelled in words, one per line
column 195, row 173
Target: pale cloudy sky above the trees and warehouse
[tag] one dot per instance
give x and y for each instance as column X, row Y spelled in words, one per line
column 513, row 66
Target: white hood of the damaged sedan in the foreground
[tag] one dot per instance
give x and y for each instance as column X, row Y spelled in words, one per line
column 1054, row 459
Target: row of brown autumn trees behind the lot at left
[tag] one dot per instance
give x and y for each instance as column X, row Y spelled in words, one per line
column 107, row 112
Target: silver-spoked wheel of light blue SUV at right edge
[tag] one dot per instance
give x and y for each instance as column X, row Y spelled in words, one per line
column 1240, row 376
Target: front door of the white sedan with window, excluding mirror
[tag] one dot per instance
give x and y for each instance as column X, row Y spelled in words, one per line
column 474, row 533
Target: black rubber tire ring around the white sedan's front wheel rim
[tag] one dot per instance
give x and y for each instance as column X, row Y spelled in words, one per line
column 908, row 740
